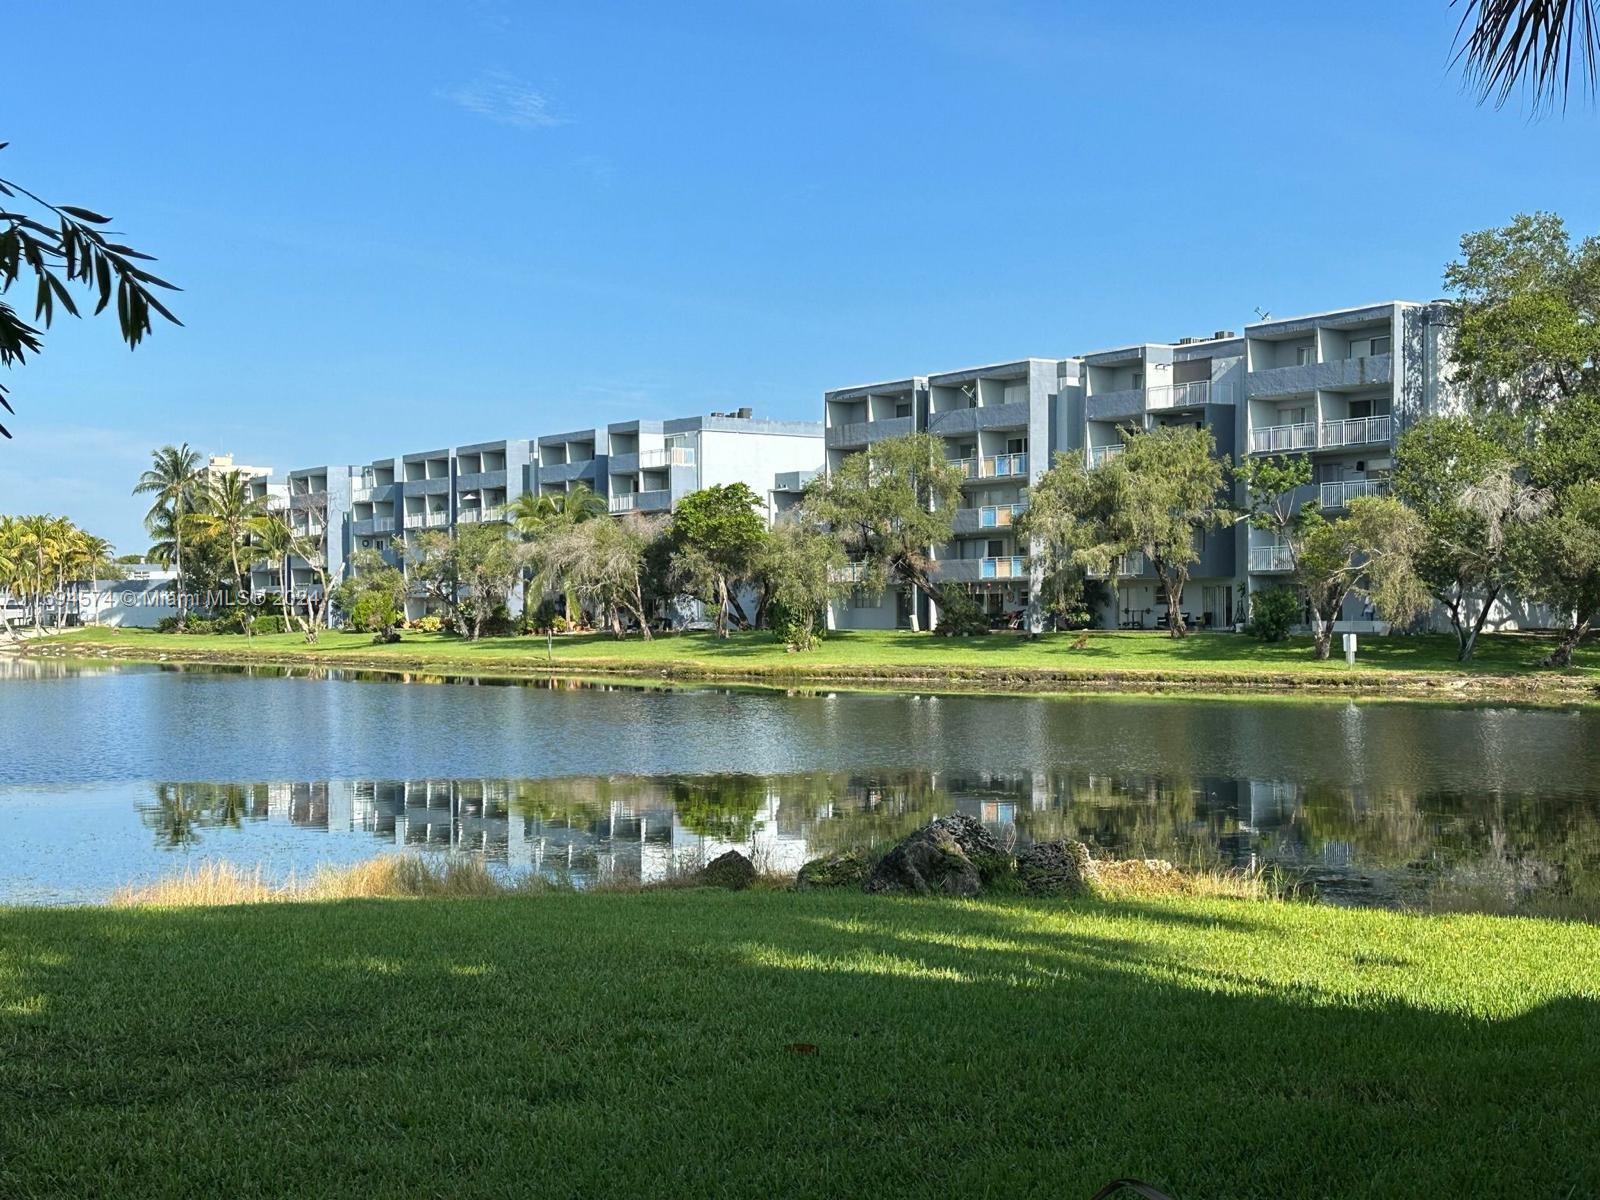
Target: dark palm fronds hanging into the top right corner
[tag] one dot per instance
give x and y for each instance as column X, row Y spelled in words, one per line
column 1534, row 42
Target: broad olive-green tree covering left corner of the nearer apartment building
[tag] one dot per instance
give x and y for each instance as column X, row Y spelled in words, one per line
column 889, row 506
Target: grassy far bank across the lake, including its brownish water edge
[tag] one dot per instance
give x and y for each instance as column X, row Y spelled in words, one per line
column 1142, row 660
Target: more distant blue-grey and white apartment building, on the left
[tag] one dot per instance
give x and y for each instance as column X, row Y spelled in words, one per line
column 633, row 466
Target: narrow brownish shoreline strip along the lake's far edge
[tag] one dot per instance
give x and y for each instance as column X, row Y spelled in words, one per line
column 1542, row 689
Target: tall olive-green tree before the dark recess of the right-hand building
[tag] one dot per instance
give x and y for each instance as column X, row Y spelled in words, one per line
column 1169, row 487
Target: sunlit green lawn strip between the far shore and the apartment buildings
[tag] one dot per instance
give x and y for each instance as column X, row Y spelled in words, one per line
column 870, row 654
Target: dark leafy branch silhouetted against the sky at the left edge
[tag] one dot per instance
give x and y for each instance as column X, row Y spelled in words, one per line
column 63, row 247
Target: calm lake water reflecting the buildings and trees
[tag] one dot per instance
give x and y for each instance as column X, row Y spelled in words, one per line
column 126, row 775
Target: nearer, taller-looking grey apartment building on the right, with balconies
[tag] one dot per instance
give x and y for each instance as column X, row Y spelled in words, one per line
column 1340, row 386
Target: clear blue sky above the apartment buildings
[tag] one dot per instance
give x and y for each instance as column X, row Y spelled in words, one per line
column 409, row 225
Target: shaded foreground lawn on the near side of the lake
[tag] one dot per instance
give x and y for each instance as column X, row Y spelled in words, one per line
column 775, row 1044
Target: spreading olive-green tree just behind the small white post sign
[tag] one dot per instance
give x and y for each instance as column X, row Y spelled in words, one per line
column 1372, row 551
